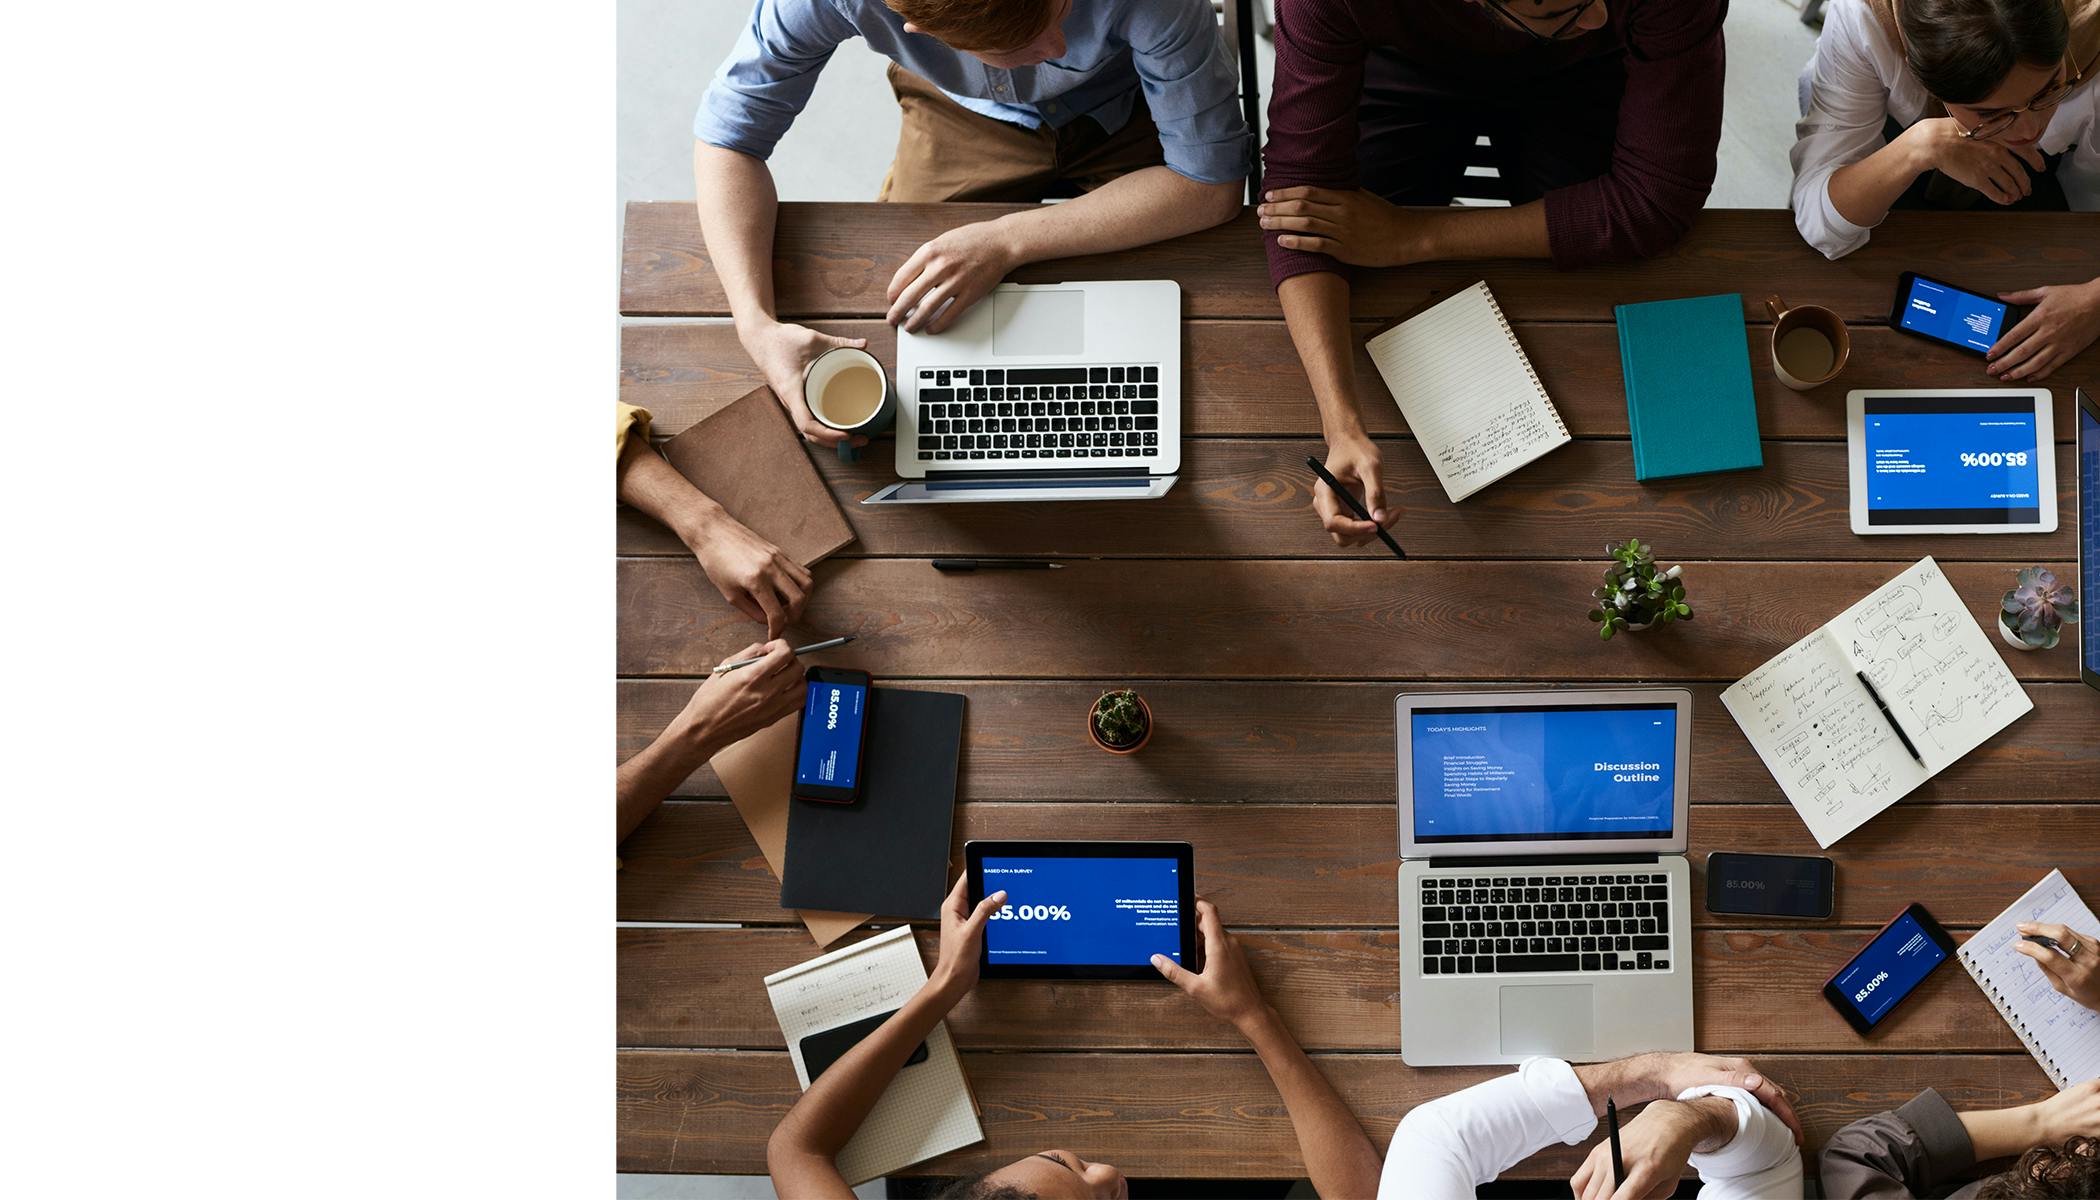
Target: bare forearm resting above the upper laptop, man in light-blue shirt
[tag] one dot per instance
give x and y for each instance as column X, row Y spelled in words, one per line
column 1133, row 211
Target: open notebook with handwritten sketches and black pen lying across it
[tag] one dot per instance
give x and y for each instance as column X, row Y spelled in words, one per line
column 1815, row 724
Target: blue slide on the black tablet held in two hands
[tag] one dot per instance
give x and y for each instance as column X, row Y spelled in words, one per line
column 1085, row 911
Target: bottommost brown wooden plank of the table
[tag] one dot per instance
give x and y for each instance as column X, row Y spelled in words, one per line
column 1209, row 1117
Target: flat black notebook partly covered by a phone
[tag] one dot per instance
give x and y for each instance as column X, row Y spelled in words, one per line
column 885, row 852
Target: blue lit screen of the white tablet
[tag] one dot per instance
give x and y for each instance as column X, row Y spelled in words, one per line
column 1952, row 461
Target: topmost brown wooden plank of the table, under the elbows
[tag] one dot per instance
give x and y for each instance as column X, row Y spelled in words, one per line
column 1223, row 272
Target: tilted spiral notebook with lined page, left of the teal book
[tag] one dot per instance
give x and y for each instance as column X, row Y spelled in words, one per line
column 1469, row 392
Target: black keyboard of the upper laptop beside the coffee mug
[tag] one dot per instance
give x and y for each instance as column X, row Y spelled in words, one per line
column 1053, row 413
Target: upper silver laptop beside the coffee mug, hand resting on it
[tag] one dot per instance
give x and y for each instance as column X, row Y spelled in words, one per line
column 1043, row 392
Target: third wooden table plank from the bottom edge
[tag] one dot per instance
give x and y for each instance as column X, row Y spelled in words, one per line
column 1307, row 867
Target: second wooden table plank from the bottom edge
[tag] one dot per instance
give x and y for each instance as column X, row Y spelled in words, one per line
column 1339, row 993
